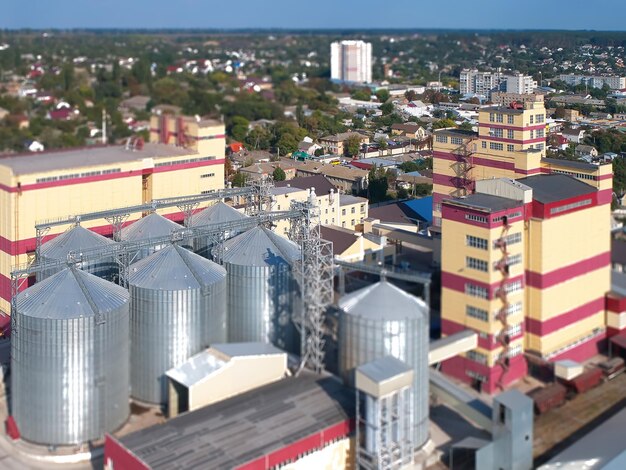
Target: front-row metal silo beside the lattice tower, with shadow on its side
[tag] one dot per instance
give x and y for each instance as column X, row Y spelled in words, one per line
column 261, row 288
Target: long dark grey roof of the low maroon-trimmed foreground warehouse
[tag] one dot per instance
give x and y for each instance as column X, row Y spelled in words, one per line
column 245, row 427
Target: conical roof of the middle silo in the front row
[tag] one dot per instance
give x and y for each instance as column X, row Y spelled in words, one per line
column 175, row 268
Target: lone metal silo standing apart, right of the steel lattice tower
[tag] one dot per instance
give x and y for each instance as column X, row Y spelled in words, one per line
column 382, row 320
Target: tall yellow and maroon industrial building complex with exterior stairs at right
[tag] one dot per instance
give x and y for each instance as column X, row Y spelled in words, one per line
column 525, row 246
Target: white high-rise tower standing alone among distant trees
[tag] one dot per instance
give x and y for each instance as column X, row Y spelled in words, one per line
column 351, row 61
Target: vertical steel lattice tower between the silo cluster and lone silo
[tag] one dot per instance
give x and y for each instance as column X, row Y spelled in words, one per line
column 314, row 273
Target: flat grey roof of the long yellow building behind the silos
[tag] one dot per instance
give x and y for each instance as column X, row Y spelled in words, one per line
column 41, row 162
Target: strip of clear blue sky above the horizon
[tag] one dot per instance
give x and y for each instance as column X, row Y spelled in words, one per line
column 326, row 14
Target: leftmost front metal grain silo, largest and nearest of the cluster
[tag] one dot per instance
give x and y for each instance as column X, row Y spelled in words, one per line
column 70, row 359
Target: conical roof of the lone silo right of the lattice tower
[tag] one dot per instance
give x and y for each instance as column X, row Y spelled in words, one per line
column 383, row 301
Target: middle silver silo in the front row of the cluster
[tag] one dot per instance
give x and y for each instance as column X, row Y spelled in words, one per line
column 177, row 309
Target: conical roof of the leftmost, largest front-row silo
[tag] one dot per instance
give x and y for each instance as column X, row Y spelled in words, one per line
column 61, row 296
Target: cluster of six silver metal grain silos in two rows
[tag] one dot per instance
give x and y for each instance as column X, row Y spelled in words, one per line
column 82, row 345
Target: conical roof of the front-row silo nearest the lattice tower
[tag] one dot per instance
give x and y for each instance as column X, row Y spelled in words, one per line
column 260, row 247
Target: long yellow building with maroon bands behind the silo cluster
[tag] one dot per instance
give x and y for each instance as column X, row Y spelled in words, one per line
column 184, row 156
